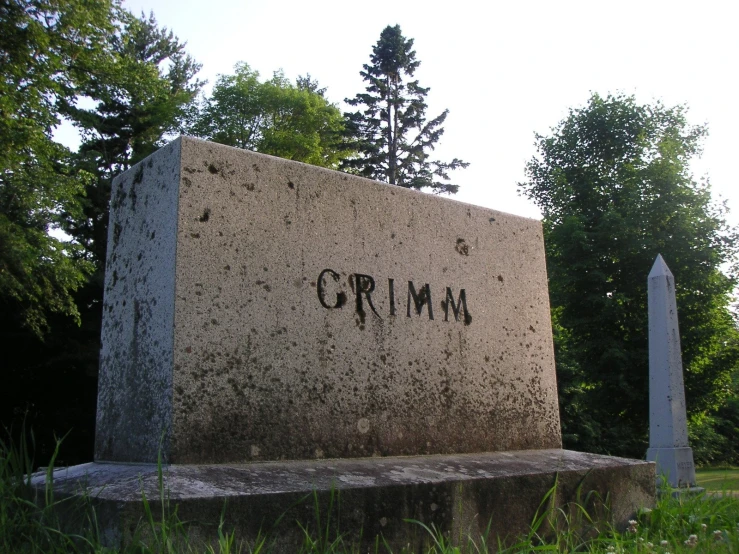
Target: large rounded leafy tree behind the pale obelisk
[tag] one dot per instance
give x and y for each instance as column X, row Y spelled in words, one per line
column 613, row 184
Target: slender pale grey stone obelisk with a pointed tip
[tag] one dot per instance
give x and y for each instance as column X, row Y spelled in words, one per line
column 668, row 427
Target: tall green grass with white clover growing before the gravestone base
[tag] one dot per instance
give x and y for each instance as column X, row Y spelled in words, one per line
column 31, row 522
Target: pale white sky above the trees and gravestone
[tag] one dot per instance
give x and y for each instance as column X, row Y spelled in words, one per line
column 505, row 70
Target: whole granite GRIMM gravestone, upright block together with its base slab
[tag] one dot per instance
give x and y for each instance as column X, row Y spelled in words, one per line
column 272, row 329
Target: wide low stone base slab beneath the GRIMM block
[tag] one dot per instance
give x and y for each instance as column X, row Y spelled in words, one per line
column 365, row 498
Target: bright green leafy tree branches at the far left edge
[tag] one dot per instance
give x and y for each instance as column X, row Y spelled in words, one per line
column 46, row 50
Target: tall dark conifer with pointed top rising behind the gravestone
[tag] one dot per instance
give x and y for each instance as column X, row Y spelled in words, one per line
column 392, row 134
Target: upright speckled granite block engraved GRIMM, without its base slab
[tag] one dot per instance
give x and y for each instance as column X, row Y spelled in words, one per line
column 260, row 309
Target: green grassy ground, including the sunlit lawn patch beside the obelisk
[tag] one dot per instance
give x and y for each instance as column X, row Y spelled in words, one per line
column 678, row 524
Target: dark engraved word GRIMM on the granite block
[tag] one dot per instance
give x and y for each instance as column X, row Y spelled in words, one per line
column 363, row 286
